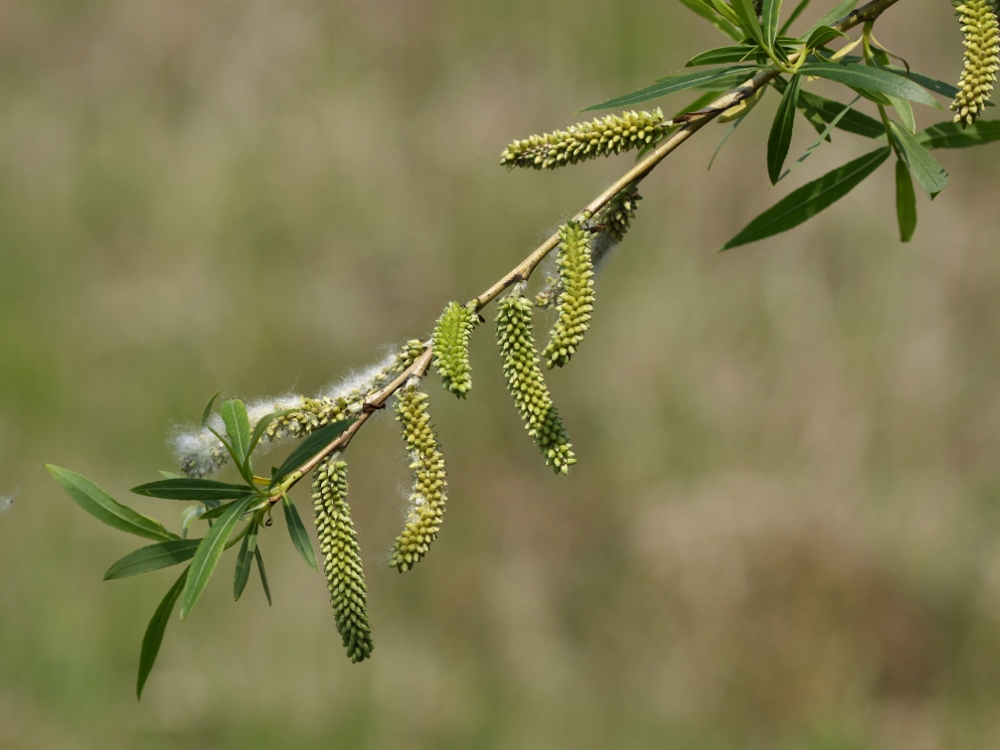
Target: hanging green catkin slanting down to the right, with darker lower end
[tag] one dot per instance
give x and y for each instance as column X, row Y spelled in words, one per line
column 526, row 384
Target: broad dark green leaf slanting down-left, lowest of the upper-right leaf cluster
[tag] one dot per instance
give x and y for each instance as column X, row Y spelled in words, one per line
column 809, row 200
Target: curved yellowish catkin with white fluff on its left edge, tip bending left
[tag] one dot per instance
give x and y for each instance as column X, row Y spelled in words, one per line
column 429, row 481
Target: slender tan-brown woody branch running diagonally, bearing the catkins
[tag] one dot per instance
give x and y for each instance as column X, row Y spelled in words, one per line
column 690, row 123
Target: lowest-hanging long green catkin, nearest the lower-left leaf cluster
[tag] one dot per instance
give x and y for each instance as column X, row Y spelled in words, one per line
column 342, row 557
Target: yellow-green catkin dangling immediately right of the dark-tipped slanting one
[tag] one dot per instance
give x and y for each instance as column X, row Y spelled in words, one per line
column 576, row 298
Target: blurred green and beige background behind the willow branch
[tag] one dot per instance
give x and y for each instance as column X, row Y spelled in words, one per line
column 784, row 529
